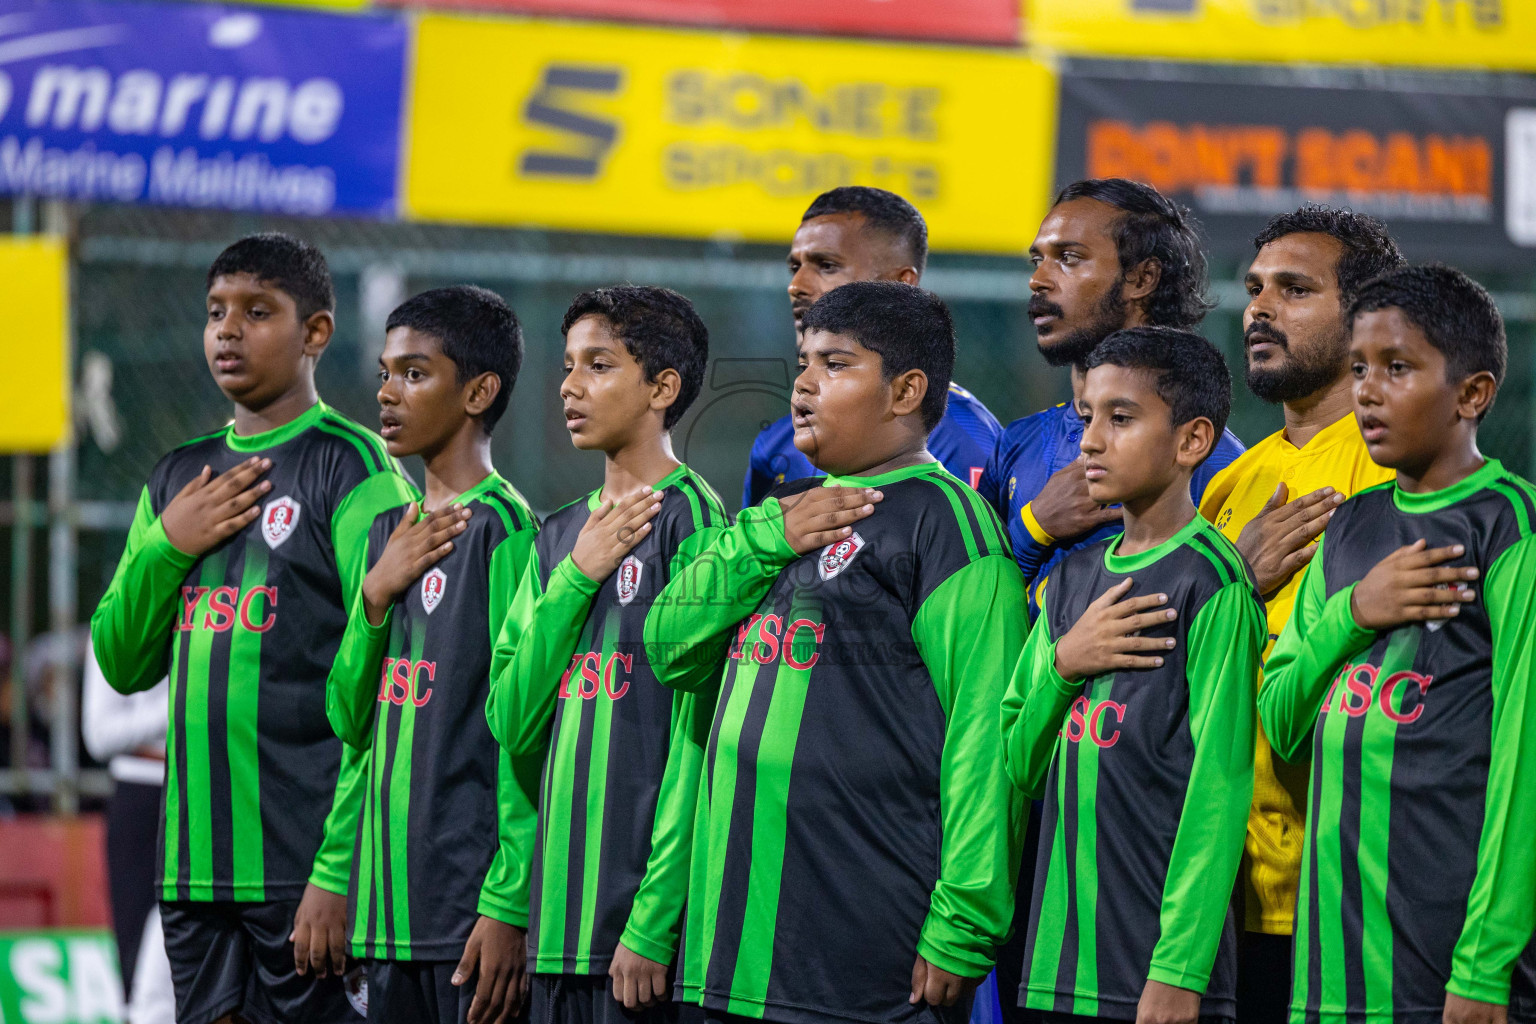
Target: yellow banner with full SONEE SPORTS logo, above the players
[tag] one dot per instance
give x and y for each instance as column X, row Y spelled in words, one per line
column 715, row 136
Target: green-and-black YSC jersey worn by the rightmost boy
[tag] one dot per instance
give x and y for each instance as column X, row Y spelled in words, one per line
column 1417, row 873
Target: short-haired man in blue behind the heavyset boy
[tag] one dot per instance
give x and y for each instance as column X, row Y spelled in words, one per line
column 862, row 234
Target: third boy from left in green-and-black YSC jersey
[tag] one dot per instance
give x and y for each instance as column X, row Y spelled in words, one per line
column 624, row 753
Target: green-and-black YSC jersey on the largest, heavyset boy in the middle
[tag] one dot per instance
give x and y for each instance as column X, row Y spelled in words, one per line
column 858, row 814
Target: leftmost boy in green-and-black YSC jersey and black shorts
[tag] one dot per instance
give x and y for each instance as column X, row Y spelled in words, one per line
column 240, row 567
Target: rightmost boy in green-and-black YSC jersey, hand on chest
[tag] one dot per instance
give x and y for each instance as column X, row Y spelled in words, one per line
column 1406, row 673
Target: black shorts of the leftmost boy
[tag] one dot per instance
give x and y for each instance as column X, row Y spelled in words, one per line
column 237, row 959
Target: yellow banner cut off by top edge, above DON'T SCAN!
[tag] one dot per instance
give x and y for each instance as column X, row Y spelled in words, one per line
column 1497, row 35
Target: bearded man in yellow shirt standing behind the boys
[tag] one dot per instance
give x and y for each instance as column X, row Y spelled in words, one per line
column 1276, row 501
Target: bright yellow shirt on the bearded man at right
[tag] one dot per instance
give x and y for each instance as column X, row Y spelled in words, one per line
column 1334, row 458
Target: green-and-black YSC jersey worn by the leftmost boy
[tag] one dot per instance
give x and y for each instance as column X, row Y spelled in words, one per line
column 248, row 633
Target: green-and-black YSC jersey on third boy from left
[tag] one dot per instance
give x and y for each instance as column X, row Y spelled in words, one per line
column 621, row 776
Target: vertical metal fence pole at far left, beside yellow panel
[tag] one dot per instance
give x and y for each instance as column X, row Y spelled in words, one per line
column 64, row 580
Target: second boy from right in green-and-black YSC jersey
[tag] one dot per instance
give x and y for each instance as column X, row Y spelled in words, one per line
column 1133, row 710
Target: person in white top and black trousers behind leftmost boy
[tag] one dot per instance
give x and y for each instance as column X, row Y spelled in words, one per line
column 130, row 735
